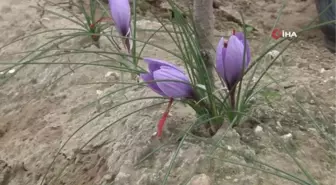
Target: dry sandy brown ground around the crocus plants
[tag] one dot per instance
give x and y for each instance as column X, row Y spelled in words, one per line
column 39, row 110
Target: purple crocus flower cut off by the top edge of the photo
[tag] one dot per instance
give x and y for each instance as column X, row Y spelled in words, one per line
column 121, row 15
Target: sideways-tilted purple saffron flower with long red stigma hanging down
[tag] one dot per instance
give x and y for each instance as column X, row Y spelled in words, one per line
column 160, row 72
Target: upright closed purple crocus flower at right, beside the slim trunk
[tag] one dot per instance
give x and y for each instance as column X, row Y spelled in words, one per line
column 229, row 58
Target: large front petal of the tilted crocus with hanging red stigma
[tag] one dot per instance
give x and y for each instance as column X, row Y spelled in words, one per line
column 173, row 89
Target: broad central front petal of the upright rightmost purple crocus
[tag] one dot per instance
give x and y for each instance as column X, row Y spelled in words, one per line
column 233, row 61
